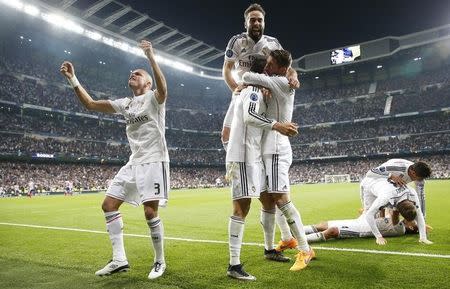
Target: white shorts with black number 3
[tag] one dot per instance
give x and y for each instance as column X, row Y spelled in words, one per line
column 137, row 184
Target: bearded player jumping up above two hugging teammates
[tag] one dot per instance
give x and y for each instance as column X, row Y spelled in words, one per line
column 238, row 57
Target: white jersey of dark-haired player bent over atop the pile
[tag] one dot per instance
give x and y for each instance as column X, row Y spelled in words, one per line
column 396, row 167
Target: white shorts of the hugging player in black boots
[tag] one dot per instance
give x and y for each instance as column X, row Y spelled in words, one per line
column 246, row 179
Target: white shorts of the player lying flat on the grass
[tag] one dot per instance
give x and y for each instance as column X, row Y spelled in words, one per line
column 353, row 228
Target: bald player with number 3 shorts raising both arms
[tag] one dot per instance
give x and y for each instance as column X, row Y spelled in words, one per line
column 145, row 178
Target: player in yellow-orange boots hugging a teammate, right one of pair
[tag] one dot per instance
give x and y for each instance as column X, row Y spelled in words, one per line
column 277, row 154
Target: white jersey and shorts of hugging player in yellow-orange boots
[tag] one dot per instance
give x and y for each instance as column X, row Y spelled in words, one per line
column 276, row 148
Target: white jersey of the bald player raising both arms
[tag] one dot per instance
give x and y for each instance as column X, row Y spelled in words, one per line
column 145, row 119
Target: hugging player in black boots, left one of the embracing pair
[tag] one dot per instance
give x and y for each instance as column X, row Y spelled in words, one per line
column 244, row 164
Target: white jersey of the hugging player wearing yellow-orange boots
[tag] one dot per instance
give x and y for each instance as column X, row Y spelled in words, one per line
column 280, row 107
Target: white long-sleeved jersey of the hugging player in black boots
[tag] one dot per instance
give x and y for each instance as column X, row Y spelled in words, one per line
column 246, row 128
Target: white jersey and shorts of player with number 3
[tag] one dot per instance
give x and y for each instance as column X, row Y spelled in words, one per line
column 146, row 175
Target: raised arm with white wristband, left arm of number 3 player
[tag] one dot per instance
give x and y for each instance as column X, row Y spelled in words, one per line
column 68, row 71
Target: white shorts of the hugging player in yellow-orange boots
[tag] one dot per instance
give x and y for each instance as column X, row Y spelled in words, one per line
column 277, row 172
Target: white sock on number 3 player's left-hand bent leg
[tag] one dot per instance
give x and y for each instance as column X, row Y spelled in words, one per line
column 114, row 226
